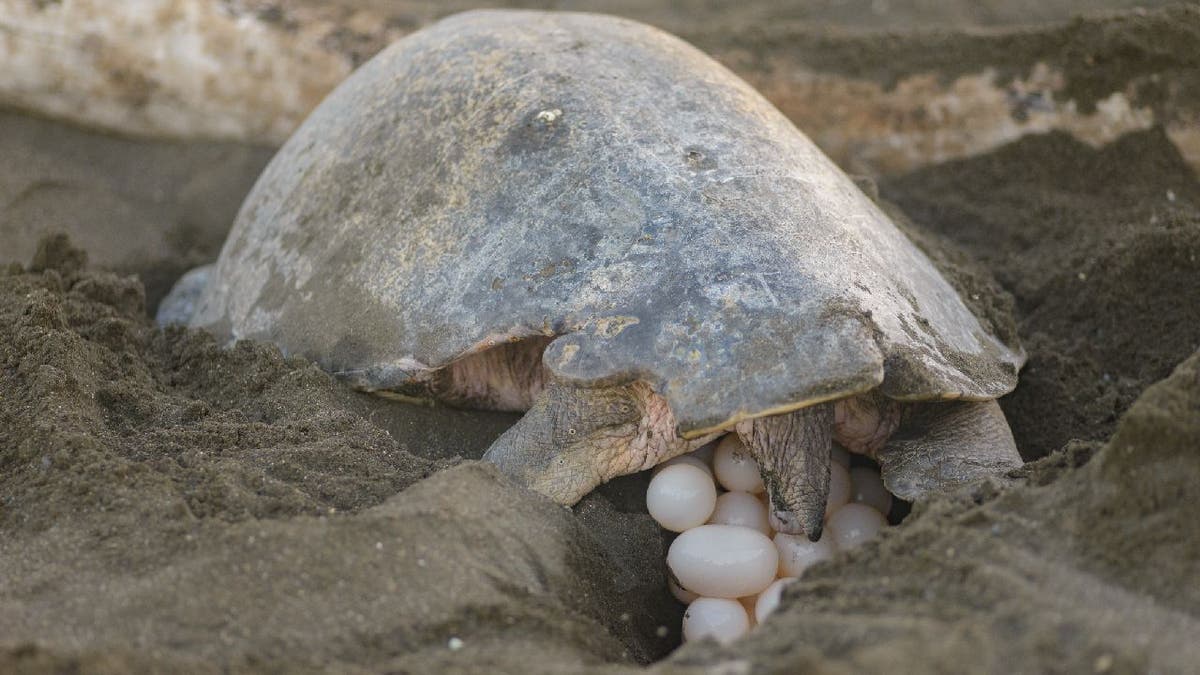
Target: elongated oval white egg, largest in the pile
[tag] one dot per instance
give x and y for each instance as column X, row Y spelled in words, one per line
column 723, row 561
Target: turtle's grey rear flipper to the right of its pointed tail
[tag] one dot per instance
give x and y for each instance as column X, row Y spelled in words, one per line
column 945, row 445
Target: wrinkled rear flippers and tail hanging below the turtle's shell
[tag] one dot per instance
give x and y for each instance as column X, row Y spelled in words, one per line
column 575, row 439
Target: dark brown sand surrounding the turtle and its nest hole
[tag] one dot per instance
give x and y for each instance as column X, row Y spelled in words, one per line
column 169, row 505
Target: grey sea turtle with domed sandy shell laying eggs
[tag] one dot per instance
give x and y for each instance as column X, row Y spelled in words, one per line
column 587, row 219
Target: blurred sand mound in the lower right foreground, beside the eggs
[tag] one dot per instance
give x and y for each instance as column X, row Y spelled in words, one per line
column 1082, row 570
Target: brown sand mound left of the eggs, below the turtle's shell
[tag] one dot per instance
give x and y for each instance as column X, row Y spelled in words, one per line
column 236, row 509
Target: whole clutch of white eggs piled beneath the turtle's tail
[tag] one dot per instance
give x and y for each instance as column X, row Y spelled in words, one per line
column 728, row 565
